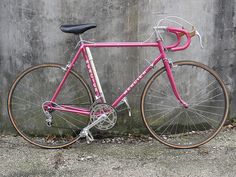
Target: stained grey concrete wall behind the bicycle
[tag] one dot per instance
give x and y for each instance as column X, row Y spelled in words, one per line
column 29, row 34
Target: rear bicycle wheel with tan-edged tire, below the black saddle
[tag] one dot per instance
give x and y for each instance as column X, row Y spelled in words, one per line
column 36, row 85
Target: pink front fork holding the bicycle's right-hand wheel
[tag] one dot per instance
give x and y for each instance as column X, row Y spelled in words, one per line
column 168, row 67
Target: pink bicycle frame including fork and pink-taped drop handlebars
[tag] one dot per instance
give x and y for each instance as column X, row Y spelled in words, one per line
column 162, row 56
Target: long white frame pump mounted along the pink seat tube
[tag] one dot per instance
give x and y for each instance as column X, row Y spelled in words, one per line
column 94, row 71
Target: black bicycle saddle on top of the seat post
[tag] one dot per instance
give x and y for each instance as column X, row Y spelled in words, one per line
column 77, row 29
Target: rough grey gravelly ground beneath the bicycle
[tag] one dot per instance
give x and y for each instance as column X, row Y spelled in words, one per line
column 125, row 156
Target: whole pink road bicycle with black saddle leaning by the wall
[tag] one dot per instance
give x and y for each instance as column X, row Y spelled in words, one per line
column 183, row 105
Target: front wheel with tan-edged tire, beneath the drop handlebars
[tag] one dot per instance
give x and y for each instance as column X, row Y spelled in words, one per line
column 172, row 124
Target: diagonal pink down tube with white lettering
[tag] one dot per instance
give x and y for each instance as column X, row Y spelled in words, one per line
column 136, row 81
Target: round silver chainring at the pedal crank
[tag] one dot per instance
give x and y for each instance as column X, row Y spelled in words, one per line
column 101, row 109
